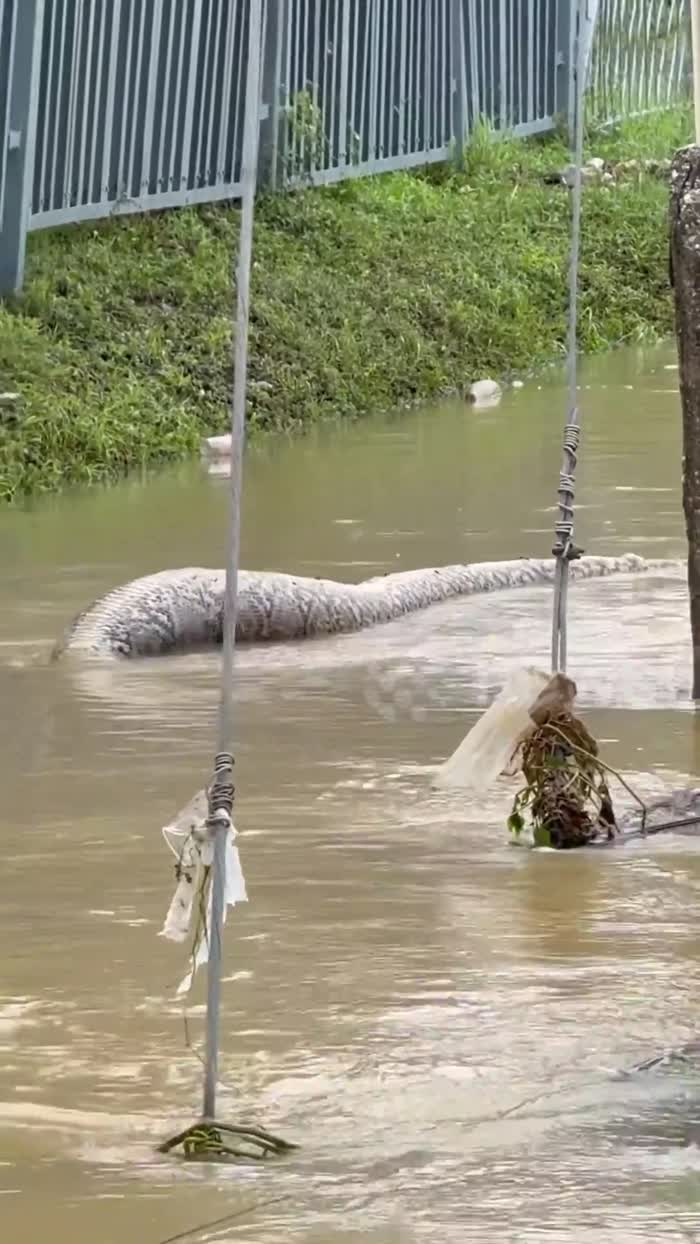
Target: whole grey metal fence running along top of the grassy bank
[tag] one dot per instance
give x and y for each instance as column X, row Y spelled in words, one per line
column 114, row 106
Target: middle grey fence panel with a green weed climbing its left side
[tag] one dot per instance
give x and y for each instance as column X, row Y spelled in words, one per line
column 367, row 88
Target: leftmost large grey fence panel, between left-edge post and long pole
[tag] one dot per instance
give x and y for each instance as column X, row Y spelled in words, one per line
column 141, row 106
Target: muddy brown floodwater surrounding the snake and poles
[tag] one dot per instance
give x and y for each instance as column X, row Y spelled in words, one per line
column 440, row 1019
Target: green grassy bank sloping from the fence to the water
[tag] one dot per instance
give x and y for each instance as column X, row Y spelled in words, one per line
column 367, row 297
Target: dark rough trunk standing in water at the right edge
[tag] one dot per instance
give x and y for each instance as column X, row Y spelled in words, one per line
column 686, row 278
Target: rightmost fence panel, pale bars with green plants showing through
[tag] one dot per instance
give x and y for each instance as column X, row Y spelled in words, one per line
column 641, row 58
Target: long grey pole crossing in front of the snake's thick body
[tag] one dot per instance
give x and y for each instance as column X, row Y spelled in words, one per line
column 221, row 814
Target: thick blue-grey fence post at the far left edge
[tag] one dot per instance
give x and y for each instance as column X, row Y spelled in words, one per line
column 21, row 139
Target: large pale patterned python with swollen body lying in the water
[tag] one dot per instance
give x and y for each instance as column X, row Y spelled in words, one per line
column 180, row 610
